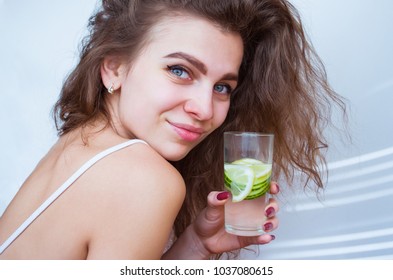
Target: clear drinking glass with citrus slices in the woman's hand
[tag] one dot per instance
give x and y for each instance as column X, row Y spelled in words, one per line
column 248, row 160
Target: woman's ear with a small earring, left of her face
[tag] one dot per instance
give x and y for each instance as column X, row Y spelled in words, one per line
column 112, row 72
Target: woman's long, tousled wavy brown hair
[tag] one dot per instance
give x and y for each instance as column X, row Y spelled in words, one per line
column 282, row 87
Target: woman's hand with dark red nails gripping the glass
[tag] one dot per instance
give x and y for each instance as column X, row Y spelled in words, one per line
column 207, row 236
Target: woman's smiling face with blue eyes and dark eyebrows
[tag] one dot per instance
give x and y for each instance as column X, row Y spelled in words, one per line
column 178, row 89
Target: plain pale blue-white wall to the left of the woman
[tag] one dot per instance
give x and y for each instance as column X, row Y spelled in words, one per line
column 39, row 41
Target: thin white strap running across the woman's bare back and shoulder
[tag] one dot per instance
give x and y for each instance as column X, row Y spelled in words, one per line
column 64, row 187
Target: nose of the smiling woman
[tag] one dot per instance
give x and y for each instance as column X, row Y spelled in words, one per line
column 200, row 104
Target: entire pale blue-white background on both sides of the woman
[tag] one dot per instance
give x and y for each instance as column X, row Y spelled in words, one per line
column 353, row 218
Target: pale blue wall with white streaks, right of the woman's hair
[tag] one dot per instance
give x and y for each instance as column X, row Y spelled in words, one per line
column 353, row 219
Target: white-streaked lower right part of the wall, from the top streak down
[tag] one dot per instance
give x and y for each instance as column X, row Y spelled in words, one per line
column 353, row 221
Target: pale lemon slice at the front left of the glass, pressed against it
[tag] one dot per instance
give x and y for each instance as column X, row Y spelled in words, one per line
column 240, row 179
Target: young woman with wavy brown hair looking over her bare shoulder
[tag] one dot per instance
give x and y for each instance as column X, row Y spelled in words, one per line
column 140, row 122
